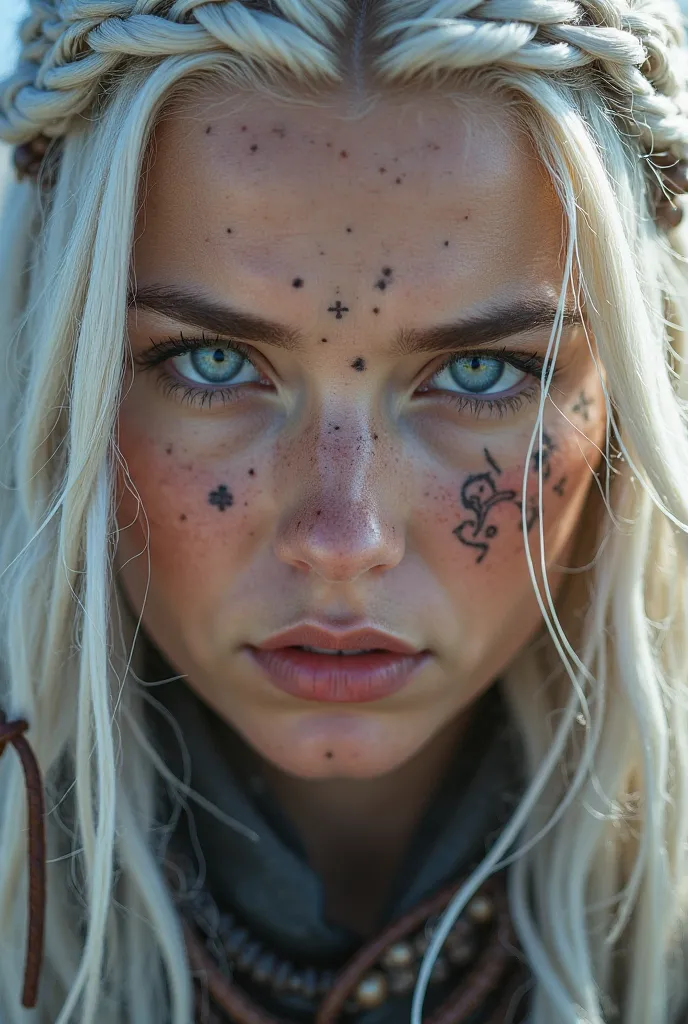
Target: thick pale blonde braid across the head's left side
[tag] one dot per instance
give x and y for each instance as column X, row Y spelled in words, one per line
column 70, row 49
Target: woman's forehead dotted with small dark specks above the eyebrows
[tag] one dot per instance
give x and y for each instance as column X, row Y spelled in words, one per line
column 253, row 189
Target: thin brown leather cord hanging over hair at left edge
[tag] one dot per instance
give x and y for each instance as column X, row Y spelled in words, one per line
column 13, row 733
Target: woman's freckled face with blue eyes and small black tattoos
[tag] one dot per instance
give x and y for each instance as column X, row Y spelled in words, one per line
column 373, row 297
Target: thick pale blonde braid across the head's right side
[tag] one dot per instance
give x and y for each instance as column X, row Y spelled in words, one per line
column 633, row 55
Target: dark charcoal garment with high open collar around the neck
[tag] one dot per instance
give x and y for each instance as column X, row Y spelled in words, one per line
column 270, row 885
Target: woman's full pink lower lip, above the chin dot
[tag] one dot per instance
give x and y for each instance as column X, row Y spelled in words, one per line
column 338, row 678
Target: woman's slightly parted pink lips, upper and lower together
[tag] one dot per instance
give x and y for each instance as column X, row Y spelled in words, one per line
column 337, row 678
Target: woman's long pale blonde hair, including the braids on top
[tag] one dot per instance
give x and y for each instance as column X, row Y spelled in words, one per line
column 597, row 846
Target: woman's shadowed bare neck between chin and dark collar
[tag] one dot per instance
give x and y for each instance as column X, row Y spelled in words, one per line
column 356, row 832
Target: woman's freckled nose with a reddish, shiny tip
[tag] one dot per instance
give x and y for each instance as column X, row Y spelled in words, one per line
column 345, row 517
